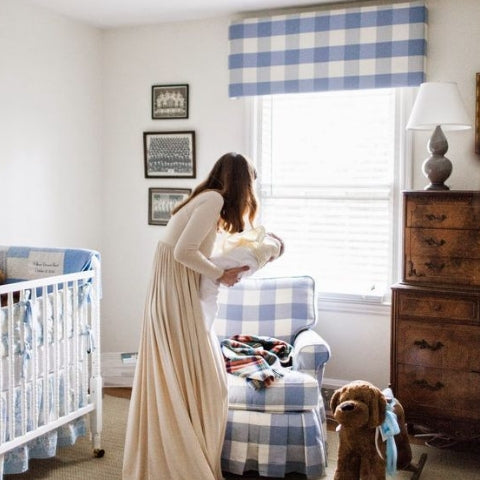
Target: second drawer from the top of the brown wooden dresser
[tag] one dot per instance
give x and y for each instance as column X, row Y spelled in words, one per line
column 433, row 242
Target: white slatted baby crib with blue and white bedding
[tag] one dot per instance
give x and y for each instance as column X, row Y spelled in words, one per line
column 50, row 380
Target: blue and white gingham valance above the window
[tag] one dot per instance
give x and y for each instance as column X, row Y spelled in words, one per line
column 339, row 49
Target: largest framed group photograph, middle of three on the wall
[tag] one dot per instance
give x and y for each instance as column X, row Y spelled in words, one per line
column 169, row 154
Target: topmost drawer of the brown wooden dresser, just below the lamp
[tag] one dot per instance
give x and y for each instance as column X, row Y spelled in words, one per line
column 443, row 211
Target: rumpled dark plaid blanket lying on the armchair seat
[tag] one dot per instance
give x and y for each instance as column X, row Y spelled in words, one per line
column 259, row 359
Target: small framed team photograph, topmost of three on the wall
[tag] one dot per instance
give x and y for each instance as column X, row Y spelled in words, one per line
column 169, row 101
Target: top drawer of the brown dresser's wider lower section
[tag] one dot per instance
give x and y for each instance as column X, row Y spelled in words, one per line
column 439, row 308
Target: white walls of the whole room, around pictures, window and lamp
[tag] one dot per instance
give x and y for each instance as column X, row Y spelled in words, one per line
column 59, row 183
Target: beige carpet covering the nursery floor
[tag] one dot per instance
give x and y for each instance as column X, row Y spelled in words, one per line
column 77, row 462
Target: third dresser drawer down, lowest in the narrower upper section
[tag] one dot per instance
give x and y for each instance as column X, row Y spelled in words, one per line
column 442, row 270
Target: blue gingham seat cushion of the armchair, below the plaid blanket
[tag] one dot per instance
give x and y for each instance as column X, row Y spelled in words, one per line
column 294, row 392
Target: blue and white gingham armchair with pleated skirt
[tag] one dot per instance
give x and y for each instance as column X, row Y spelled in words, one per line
column 279, row 429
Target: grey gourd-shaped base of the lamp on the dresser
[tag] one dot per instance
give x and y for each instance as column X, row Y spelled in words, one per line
column 437, row 168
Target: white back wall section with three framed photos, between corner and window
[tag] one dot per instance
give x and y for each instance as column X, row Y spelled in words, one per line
column 135, row 59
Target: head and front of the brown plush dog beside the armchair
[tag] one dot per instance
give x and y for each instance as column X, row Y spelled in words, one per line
column 359, row 408
